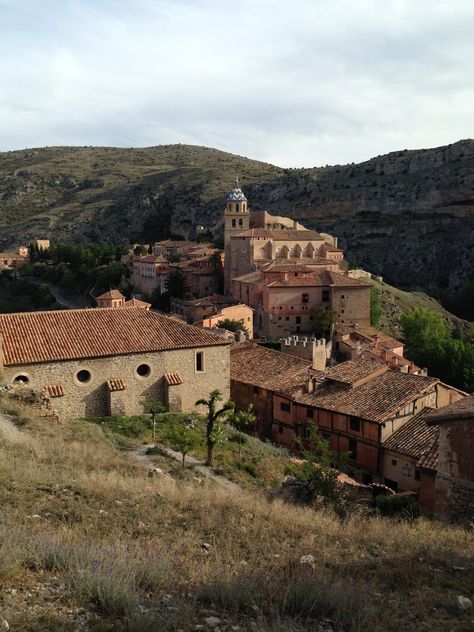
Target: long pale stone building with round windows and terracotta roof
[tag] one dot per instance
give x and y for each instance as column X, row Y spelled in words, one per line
column 97, row 362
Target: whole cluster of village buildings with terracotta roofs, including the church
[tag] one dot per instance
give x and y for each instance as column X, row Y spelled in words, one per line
column 398, row 425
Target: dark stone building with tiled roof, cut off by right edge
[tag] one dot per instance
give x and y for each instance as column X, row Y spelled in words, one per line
column 454, row 462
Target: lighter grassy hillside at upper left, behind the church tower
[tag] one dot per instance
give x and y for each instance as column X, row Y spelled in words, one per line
column 69, row 179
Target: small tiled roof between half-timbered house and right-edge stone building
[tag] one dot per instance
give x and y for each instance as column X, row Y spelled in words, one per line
column 414, row 438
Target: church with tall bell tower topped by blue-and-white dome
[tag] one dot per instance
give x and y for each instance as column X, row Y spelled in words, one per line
column 253, row 240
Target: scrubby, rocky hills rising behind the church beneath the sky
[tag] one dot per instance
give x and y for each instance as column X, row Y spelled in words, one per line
column 408, row 215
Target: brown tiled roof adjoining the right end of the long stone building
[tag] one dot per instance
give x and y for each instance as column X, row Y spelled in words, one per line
column 266, row 368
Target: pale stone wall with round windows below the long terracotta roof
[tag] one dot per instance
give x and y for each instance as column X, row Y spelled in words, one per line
column 93, row 397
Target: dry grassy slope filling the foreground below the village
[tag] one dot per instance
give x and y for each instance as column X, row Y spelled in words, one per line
column 87, row 539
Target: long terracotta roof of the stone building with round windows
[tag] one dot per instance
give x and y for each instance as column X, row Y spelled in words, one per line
column 32, row 337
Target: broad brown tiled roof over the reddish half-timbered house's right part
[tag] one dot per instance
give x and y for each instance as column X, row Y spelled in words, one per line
column 377, row 399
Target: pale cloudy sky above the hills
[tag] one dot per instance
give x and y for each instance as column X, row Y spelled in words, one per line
column 291, row 82
